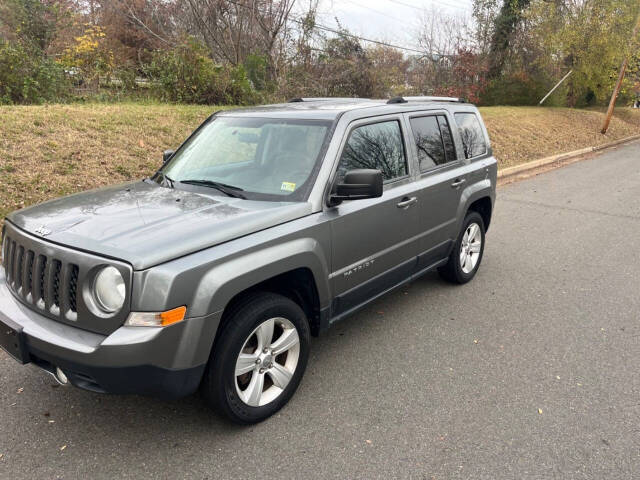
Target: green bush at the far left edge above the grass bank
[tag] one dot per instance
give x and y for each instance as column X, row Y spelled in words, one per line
column 27, row 76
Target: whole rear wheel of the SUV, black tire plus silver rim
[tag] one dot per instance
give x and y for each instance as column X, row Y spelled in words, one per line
column 455, row 271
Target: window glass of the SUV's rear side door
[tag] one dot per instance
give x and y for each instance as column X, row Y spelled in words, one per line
column 433, row 140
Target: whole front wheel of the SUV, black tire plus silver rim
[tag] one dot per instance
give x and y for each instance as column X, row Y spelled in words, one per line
column 238, row 363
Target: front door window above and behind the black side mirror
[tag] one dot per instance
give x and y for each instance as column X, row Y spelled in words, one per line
column 378, row 146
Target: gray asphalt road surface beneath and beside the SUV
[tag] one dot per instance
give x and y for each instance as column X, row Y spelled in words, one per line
column 530, row 371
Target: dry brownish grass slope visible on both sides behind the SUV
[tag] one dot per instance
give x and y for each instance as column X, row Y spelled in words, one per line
column 48, row 151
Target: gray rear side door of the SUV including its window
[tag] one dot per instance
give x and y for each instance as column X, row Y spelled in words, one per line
column 441, row 178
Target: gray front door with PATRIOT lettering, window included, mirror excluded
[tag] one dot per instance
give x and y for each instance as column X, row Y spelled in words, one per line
column 375, row 242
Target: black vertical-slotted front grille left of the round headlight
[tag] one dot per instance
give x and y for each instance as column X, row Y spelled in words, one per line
column 47, row 283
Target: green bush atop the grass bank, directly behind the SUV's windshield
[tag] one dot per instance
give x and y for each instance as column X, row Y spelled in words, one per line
column 186, row 74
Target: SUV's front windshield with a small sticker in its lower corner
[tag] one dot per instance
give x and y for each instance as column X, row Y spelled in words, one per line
column 265, row 159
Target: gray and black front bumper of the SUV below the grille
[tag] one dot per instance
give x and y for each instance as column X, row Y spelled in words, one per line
column 164, row 362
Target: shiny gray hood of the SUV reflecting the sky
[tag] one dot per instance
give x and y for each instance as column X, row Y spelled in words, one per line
column 145, row 224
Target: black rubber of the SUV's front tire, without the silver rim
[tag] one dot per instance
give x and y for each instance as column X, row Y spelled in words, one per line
column 219, row 383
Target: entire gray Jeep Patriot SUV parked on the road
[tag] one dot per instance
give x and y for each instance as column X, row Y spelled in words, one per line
column 266, row 226
